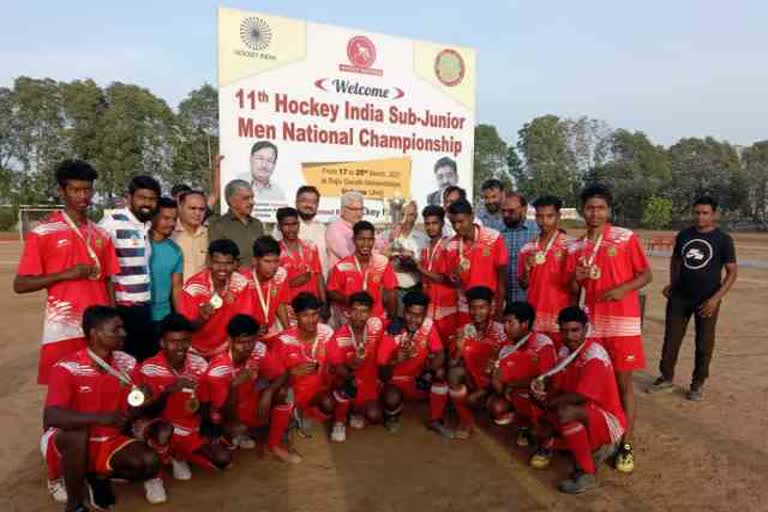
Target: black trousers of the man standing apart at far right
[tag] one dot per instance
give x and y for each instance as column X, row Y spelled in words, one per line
column 679, row 312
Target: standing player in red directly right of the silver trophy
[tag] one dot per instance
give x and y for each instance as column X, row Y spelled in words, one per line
column 442, row 293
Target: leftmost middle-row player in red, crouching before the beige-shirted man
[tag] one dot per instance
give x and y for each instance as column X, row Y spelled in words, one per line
column 213, row 296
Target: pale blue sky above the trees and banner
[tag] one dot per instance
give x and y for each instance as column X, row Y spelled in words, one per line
column 670, row 68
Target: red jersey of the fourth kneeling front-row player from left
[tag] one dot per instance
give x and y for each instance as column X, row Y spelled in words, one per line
column 291, row 351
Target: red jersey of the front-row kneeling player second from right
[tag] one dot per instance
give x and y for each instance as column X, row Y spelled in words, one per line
column 537, row 355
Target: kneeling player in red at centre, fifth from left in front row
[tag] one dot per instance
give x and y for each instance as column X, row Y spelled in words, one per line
column 352, row 357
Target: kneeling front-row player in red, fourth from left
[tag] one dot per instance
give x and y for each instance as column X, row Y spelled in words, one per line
column 303, row 351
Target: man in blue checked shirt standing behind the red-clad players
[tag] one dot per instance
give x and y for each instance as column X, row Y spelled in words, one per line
column 517, row 231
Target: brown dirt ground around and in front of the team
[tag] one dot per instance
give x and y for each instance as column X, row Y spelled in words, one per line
column 711, row 455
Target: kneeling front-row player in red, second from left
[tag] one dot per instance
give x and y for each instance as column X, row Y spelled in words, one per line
column 174, row 377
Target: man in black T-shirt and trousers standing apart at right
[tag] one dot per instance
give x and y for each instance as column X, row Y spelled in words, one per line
column 696, row 288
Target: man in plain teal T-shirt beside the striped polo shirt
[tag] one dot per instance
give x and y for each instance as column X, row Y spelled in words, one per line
column 166, row 263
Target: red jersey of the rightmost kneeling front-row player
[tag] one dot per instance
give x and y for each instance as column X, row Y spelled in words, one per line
column 591, row 375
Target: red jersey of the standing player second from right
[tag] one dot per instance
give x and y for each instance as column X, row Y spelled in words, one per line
column 548, row 280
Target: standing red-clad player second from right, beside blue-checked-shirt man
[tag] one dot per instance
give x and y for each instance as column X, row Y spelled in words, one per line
column 541, row 267
